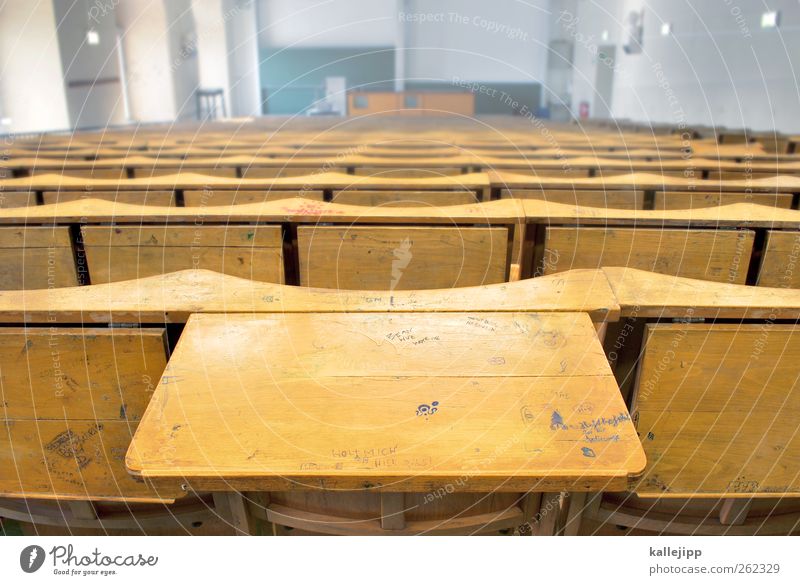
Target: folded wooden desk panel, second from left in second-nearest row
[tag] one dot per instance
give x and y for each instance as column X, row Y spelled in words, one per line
column 128, row 252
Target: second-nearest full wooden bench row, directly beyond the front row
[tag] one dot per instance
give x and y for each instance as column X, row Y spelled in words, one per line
column 330, row 245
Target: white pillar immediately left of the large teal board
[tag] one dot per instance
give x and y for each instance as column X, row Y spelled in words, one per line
column 243, row 59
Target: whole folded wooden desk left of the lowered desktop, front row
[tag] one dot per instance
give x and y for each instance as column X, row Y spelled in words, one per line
column 72, row 398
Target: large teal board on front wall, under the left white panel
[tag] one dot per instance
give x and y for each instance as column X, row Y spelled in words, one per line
column 286, row 74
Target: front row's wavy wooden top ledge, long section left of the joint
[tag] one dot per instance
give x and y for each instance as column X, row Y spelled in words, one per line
column 173, row 297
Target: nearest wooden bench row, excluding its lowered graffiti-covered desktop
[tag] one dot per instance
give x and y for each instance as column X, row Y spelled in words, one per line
column 713, row 396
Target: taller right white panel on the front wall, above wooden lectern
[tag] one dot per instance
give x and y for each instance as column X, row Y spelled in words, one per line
column 502, row 41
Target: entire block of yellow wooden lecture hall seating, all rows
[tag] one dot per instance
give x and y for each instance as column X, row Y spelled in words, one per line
column 396, row 327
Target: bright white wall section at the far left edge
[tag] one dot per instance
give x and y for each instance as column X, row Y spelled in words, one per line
column 31, row 87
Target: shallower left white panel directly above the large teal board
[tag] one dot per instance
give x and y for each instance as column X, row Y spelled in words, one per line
column 327, row 23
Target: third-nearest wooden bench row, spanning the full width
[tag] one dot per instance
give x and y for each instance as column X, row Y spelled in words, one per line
column 629, row 191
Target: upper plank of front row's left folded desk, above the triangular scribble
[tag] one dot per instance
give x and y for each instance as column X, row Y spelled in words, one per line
column 77, row 373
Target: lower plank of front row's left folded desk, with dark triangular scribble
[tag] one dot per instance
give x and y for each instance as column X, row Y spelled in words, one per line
column 70, row 459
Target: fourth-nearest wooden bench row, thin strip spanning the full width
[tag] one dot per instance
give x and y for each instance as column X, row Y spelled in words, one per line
column 263, row 166
